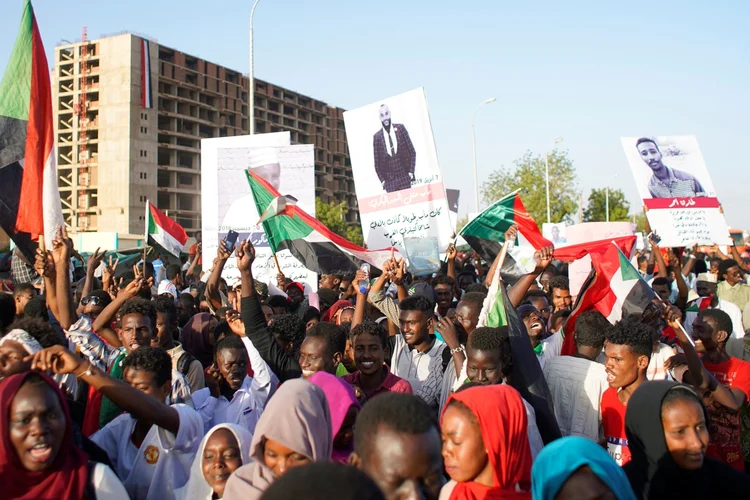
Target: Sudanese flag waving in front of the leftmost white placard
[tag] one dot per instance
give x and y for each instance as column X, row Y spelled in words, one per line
column 287, row 226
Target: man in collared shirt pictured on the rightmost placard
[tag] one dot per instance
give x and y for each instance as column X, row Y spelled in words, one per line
column 666, row 182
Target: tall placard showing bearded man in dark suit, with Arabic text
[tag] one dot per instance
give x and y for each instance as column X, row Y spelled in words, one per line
column 396, row 172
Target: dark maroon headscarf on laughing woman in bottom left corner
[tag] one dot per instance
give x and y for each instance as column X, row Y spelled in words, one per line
column 68, row 474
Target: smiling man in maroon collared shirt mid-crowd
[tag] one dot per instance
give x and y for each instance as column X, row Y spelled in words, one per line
column 369, row 341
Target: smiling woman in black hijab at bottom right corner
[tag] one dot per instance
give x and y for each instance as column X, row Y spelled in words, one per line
column 666, row 426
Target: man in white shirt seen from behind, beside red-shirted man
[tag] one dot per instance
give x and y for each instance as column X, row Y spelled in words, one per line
column 577, row 382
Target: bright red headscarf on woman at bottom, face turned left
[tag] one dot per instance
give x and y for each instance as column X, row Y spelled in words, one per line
column 502, row 419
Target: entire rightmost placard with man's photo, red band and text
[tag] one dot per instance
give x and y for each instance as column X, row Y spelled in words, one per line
column 677, row 190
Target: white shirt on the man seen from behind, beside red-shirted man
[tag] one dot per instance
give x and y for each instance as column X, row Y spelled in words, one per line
column 576, row 386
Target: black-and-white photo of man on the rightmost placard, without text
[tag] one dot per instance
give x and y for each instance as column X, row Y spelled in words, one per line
column 668, row 167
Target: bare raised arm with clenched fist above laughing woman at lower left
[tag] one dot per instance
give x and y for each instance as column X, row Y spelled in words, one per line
column 60, row 361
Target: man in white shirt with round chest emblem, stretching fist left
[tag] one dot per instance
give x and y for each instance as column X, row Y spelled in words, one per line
column 153, row 445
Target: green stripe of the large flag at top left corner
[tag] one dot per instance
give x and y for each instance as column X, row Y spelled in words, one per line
column 15, row 89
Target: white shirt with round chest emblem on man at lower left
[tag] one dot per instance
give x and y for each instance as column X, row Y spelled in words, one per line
column 161, row 464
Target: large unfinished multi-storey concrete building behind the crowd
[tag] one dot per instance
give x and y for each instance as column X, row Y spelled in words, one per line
column 120, row 145
